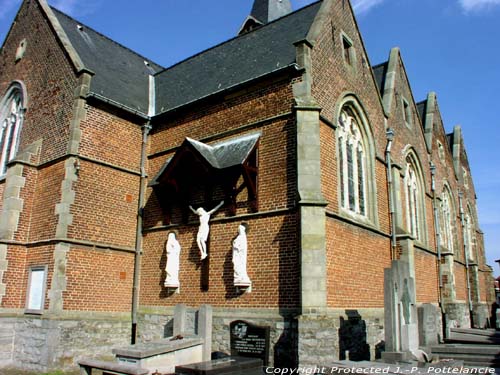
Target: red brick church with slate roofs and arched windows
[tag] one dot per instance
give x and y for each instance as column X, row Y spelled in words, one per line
column 331, row 163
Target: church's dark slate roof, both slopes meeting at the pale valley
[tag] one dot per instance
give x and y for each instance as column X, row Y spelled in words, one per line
column 122, row 76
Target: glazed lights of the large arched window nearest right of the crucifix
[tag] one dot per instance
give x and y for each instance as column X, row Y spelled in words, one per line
column 352, row 164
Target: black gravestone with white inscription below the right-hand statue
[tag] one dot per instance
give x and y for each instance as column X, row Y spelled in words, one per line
column 249, row 340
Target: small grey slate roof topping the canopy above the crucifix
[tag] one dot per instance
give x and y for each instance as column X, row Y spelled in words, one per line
column 221, row 155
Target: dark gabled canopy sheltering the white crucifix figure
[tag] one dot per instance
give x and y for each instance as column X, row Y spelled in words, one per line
column 230, row 166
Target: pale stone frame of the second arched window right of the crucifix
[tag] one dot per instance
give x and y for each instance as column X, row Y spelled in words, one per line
column 414, row 192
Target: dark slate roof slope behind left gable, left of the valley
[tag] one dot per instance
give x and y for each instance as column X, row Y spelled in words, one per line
column 120, row 74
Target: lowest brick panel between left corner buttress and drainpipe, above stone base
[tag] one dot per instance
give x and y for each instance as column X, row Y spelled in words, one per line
column 98, row 280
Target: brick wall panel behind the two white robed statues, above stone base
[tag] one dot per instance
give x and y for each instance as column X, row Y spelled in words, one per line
column 272, row 265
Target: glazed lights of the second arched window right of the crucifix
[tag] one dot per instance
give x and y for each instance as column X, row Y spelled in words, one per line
column 414, row 199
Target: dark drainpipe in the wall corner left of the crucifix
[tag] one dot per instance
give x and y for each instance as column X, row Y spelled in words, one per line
column 138, row 236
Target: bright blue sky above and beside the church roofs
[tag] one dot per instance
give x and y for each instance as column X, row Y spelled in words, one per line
column 451, row 47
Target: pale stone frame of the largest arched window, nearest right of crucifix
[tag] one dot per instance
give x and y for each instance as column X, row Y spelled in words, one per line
column 365, row 139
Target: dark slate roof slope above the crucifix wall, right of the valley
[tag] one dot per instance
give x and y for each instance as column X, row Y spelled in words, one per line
column 238, row 60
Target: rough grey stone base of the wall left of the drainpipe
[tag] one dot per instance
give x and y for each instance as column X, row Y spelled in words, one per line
column 42, row 344
